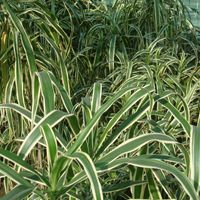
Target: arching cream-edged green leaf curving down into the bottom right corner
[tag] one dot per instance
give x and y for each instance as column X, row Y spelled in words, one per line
column 154, row 164
